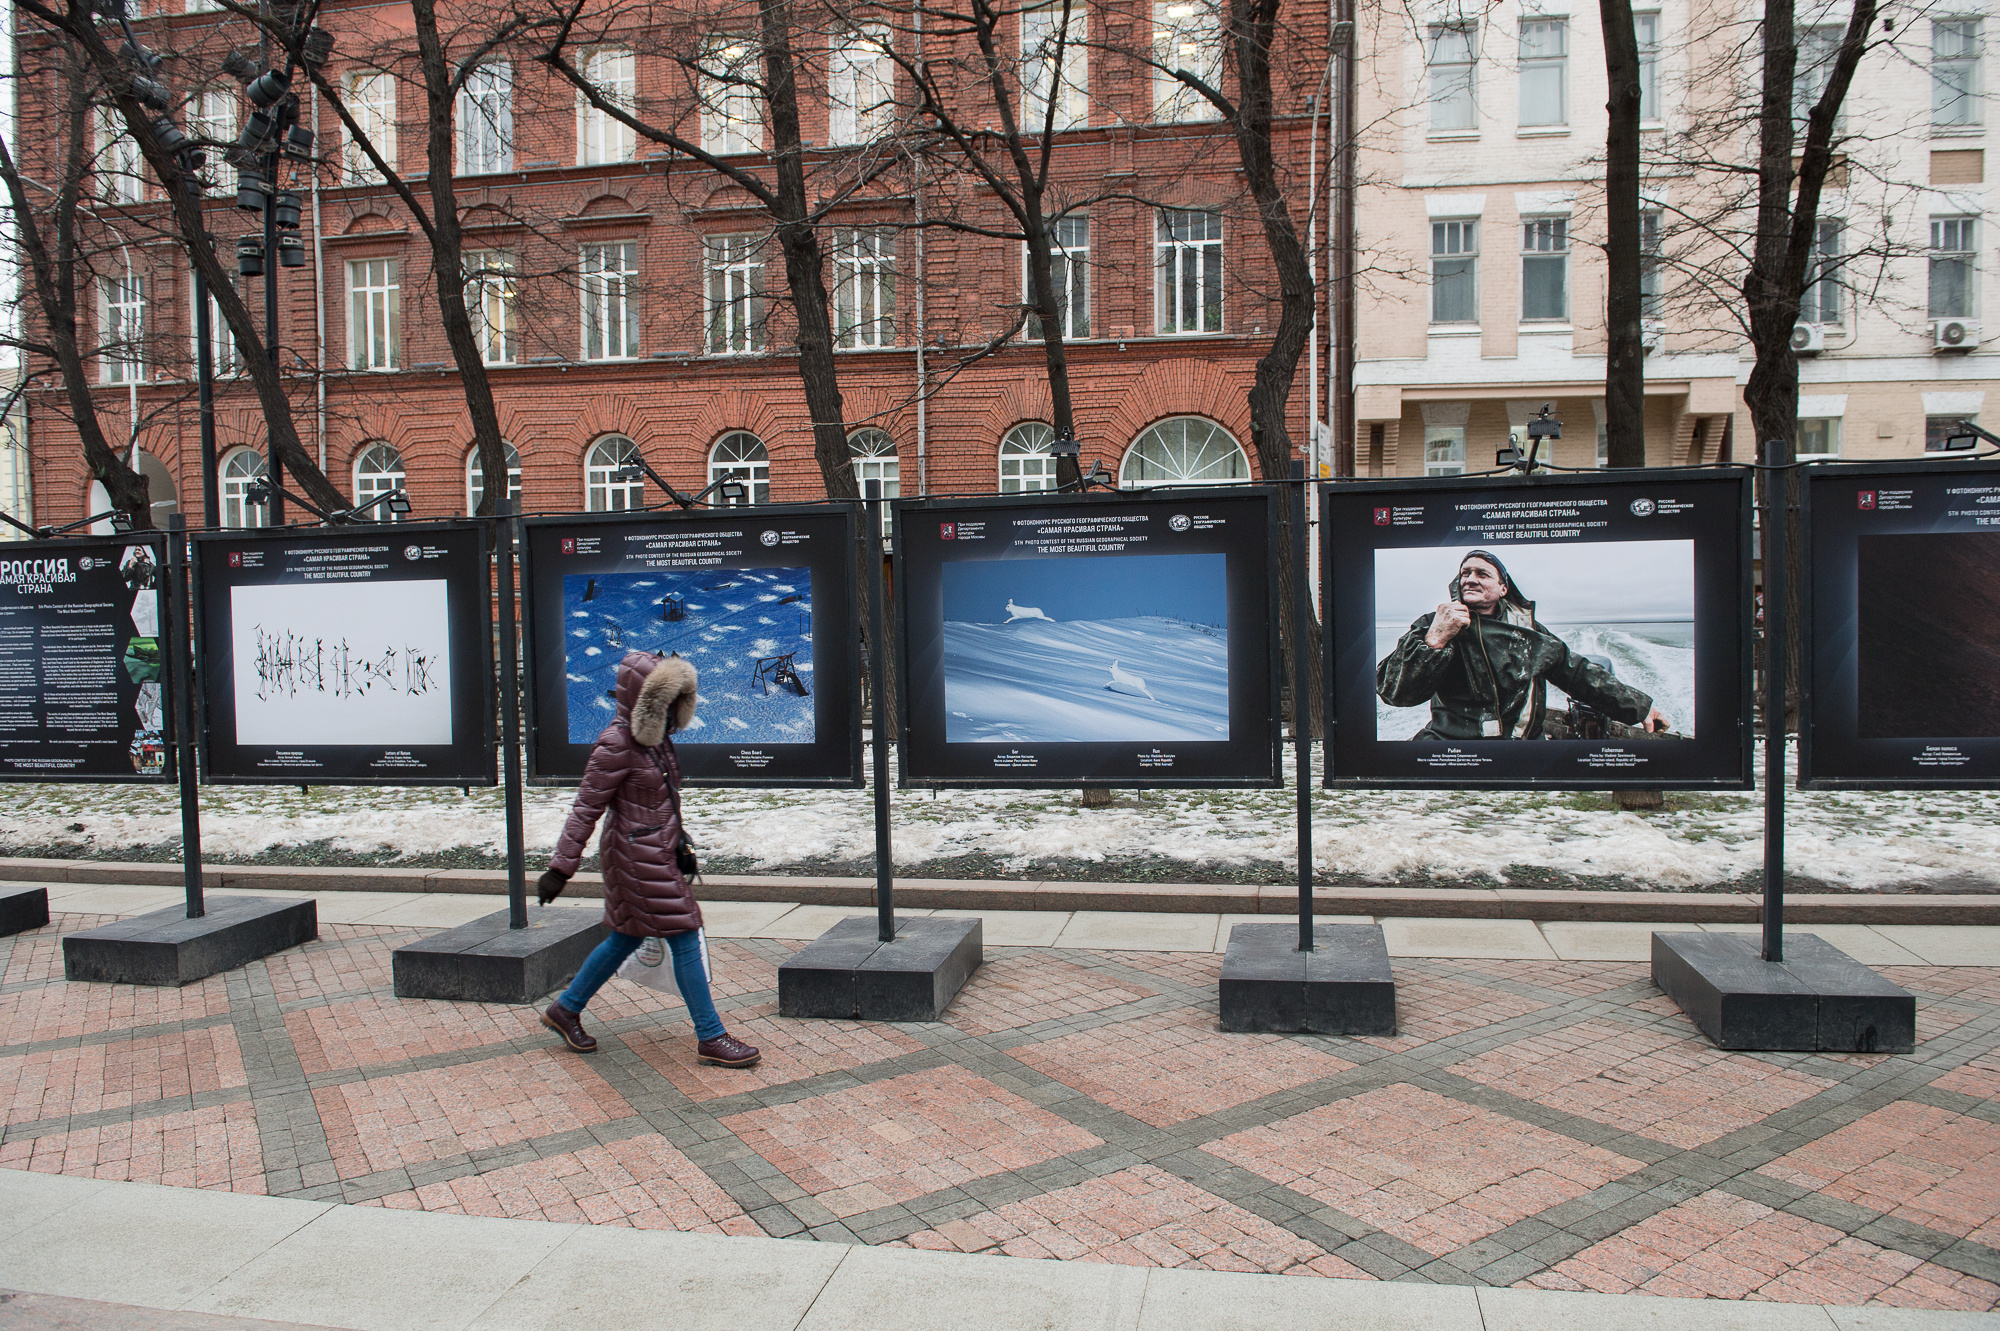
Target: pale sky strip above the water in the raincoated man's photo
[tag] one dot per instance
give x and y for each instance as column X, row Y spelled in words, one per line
column 1569, row 583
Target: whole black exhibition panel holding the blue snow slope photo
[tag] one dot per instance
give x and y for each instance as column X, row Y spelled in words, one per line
column 1123, row 639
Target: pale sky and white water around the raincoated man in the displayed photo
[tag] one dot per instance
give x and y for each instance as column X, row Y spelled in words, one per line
column 1629, row 603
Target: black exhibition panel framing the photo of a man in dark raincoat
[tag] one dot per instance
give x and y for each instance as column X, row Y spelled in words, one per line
column 1705, row 509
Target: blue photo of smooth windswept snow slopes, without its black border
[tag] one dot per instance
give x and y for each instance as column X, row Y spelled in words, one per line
column 1087, row 651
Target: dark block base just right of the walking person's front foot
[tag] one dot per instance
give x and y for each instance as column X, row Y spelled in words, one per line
column 851, row 974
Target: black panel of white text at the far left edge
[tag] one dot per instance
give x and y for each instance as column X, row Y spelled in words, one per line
column 83, row 661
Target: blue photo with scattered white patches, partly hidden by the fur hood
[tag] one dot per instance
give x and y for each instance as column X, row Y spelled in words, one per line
column 749, row 631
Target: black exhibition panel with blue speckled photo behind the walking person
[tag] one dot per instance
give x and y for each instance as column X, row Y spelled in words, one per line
column 759, row 599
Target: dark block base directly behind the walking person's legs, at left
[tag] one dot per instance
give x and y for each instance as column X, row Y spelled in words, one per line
column 485, row 962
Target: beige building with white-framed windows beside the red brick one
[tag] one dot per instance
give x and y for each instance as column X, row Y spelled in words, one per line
column 1481, row 231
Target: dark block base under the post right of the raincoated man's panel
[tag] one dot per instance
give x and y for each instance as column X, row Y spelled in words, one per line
column 1819, row 998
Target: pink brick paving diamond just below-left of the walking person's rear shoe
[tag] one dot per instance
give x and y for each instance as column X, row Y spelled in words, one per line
column 423, row 1116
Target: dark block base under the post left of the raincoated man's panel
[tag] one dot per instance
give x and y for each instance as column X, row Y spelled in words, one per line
column 1345, row 986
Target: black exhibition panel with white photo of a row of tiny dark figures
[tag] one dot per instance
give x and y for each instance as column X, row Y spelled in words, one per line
column 347, row 657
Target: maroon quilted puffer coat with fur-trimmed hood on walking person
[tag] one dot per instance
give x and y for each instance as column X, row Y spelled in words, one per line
column 631, row 782
